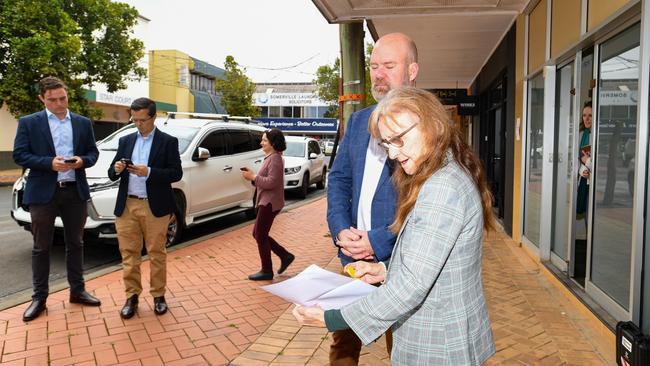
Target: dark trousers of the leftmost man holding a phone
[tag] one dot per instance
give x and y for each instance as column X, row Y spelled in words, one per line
column 73, row 212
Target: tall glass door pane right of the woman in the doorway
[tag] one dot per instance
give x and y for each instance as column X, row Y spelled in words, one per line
column 615, row 146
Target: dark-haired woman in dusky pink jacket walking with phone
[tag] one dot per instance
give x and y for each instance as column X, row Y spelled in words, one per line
column 269, row 182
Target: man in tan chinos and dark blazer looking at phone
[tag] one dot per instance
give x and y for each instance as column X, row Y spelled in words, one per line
column 147, row 162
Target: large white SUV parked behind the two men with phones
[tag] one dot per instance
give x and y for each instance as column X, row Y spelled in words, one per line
column 212, row 149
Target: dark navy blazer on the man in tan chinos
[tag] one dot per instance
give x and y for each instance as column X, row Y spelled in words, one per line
column 165, row 166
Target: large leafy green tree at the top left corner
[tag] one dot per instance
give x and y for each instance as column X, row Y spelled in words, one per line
column 82, row 42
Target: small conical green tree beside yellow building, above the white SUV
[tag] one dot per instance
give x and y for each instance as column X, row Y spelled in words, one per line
column 236, row 90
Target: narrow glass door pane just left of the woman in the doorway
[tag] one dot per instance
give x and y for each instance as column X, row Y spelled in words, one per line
column 563, row 167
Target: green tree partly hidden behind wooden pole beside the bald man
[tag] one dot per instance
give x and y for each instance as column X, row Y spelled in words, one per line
column 327, row 84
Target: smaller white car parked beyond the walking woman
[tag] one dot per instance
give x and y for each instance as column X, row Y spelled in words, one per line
column 304, row 164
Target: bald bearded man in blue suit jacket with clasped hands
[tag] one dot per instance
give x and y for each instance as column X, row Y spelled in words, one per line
column 361, row 199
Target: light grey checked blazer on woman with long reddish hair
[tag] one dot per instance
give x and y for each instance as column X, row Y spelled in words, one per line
column 432, row 298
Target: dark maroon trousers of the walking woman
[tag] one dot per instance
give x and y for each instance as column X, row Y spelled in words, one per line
column 265, row 243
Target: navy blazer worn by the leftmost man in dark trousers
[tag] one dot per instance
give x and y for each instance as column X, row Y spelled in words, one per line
column 34, row 149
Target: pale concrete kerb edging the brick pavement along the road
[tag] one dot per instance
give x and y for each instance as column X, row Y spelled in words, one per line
column 24, row 296
